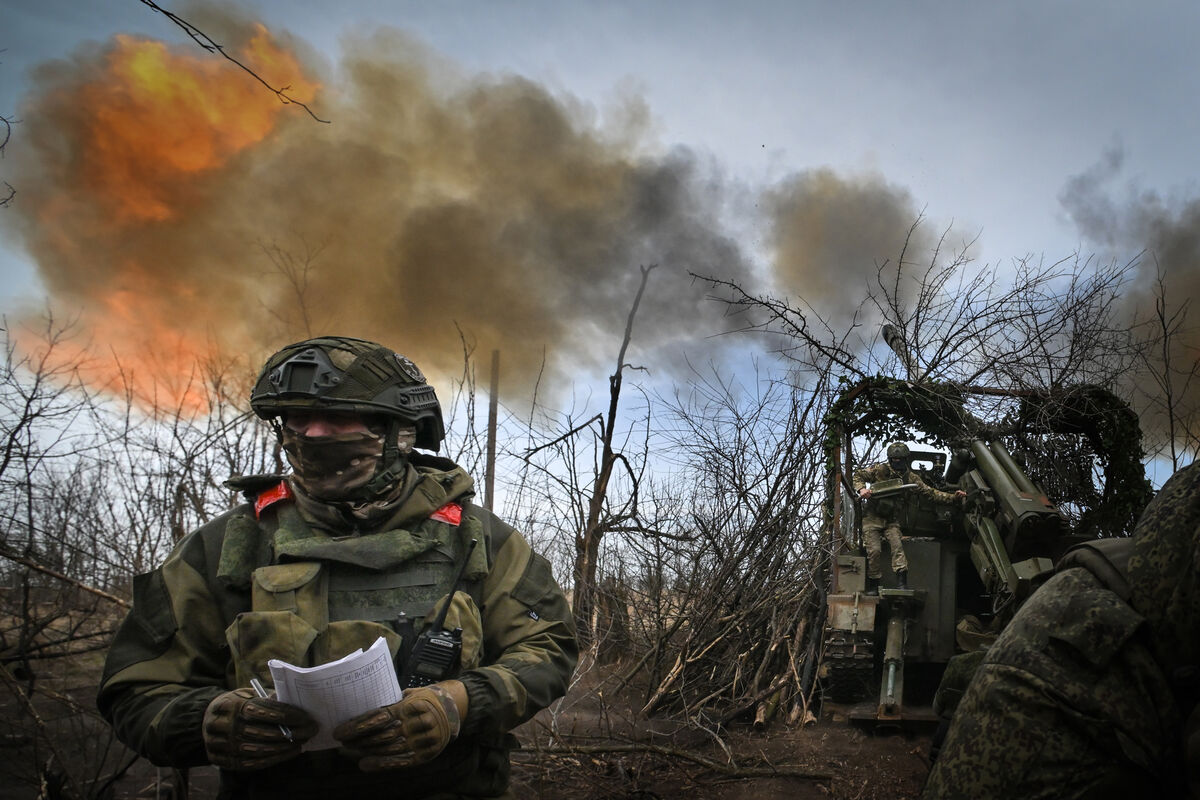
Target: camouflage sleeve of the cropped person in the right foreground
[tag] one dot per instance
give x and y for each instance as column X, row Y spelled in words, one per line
column 1065, row 706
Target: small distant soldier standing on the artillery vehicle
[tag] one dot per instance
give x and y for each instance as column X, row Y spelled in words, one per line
column 879, row 522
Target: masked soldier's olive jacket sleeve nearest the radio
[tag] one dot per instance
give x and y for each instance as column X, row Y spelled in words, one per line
column 530, row 647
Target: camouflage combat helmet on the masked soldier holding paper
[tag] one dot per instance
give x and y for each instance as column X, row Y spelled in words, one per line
column 340, row 374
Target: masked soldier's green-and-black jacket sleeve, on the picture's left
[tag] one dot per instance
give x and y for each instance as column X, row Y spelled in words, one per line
column 160, row 677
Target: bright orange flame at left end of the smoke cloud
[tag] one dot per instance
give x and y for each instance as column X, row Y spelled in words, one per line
column 146, row 139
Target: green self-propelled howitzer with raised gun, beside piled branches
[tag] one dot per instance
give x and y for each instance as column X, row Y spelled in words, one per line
column 970, row 564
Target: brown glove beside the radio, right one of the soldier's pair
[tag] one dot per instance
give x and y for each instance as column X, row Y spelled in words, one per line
column 407, row 733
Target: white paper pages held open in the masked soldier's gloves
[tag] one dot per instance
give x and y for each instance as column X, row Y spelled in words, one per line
column 339, row 690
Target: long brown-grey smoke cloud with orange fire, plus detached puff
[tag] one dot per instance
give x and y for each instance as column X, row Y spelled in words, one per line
column 184, row 214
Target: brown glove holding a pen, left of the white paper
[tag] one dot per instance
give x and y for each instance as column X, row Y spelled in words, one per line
column 242, row 731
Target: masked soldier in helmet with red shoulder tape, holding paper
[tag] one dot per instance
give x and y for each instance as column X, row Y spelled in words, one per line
column 362, row 540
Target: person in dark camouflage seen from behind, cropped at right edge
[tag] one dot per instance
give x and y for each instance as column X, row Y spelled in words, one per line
column 1091, row 690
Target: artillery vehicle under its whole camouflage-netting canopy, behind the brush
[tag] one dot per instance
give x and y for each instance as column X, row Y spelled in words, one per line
column 970, row 566
